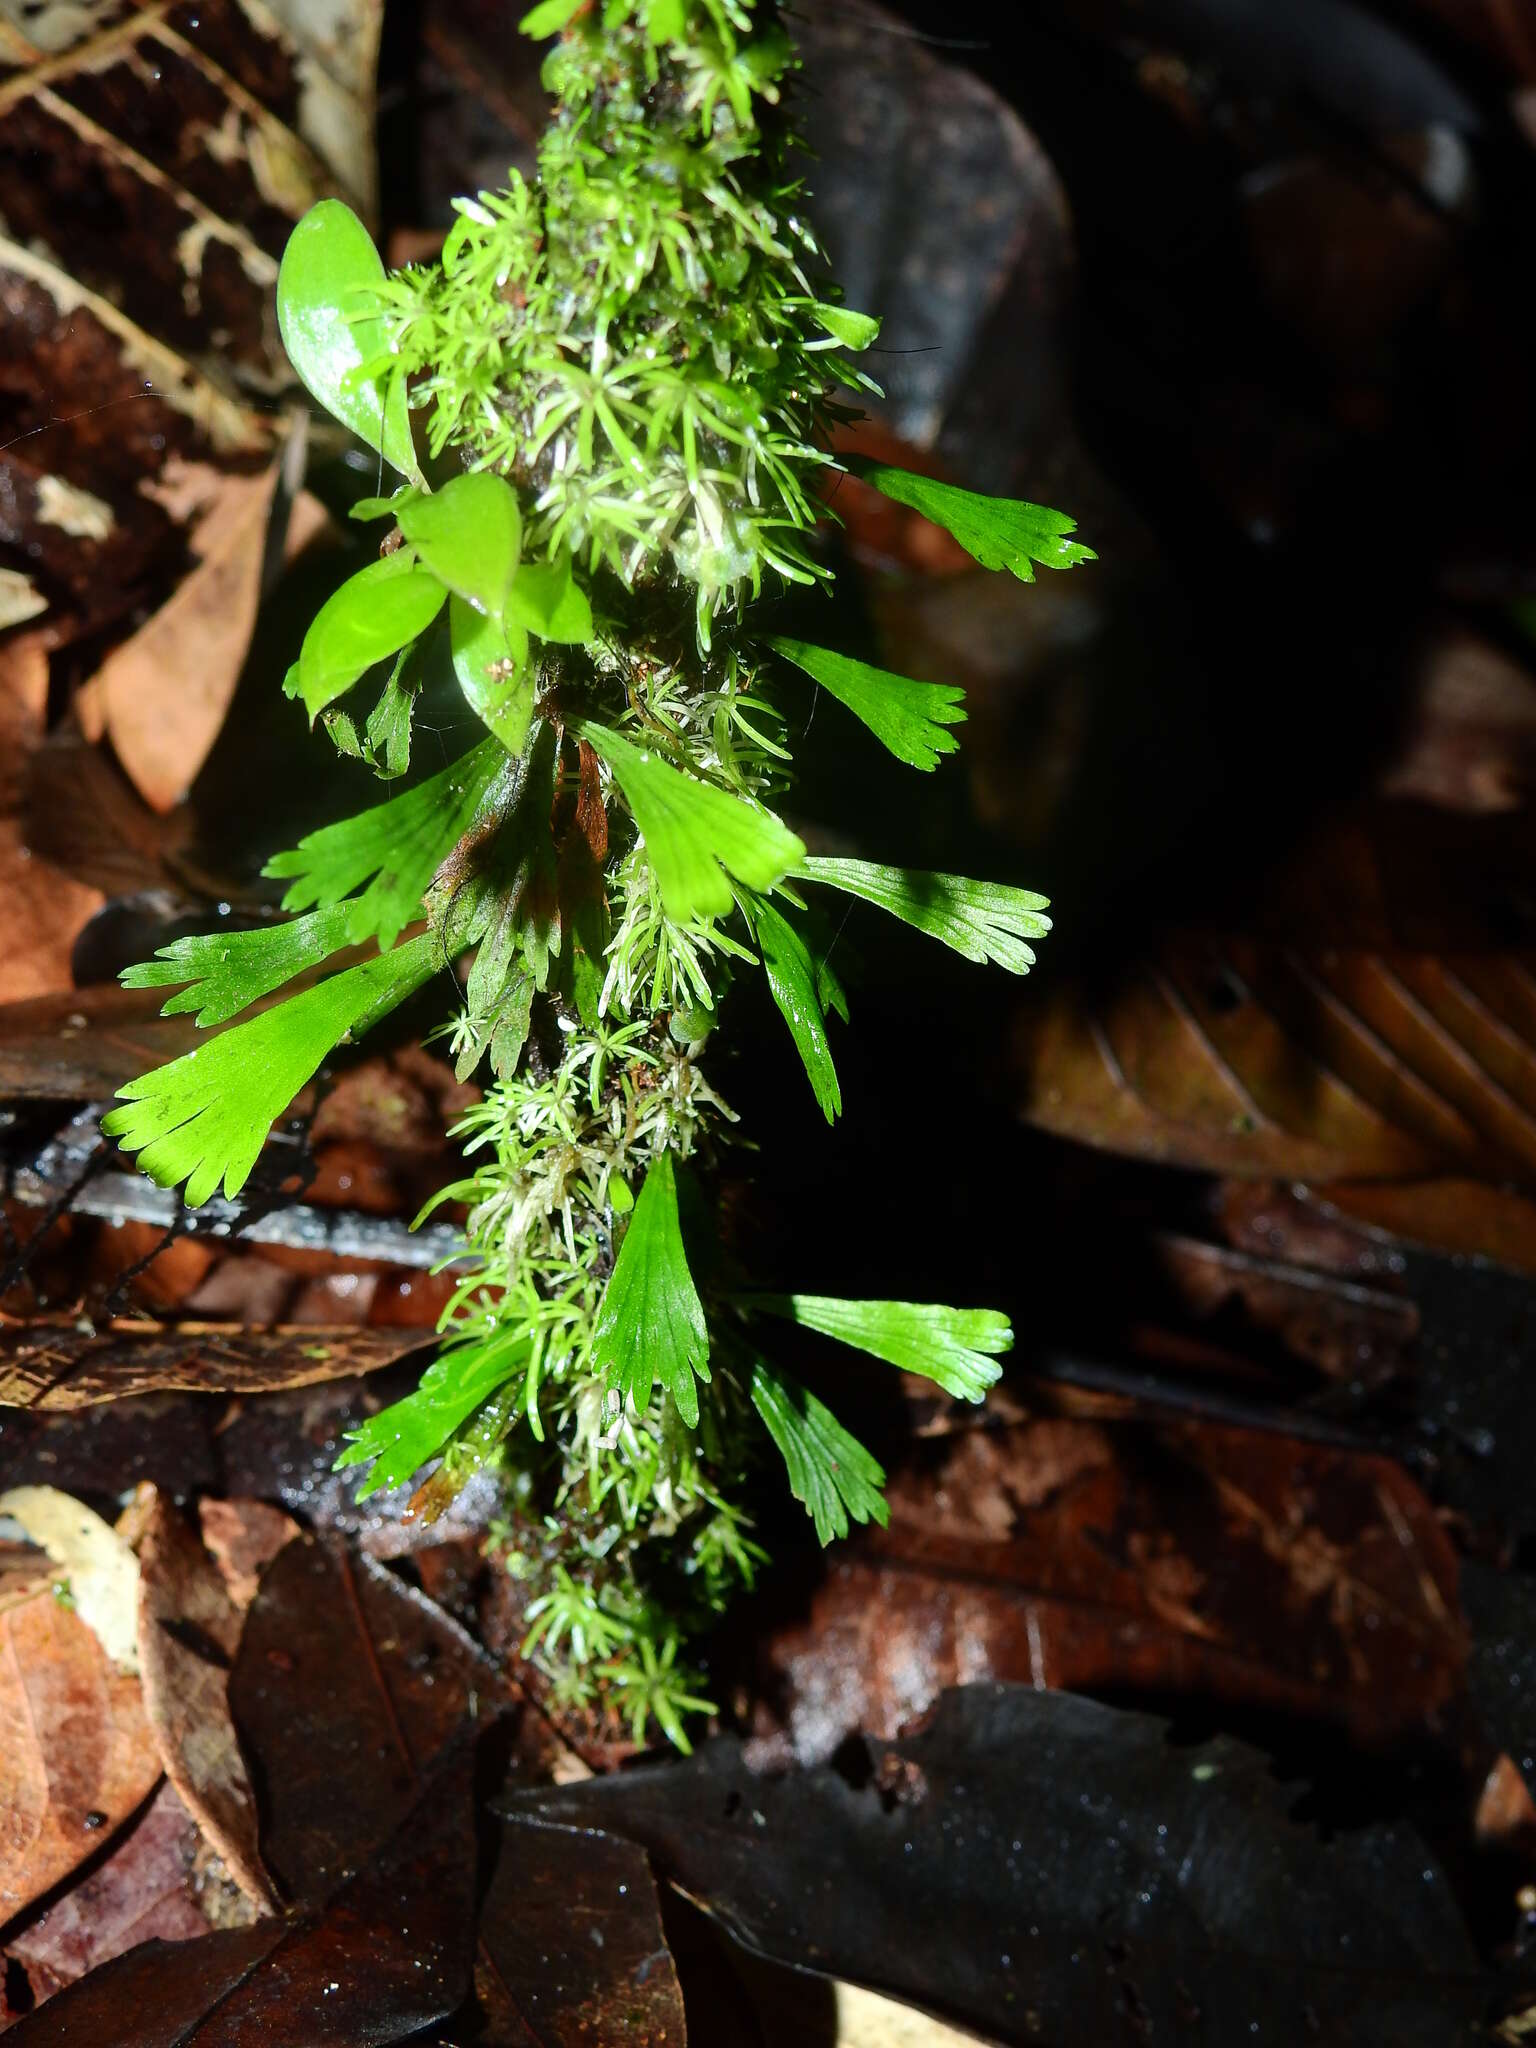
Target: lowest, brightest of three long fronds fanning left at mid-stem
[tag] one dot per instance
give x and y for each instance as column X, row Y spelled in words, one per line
column 204, row 1119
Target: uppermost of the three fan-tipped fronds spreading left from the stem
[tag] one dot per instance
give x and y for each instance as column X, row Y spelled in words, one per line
column 396, row 849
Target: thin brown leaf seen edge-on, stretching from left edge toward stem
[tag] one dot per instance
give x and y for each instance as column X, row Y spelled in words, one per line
column 54, row 1365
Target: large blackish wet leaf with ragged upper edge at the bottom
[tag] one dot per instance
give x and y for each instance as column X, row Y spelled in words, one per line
column 1041, row 1867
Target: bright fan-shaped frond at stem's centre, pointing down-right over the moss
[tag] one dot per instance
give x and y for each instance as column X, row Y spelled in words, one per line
column 695, row 835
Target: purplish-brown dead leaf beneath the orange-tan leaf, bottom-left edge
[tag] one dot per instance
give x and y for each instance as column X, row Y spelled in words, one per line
column 148, row 1889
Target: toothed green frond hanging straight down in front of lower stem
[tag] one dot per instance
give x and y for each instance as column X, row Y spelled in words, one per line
column 652, row 1322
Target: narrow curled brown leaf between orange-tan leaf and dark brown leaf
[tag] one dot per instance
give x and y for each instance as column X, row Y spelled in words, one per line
column 189, row 1631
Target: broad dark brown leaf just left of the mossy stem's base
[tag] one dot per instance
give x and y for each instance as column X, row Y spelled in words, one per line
column 345, row 1691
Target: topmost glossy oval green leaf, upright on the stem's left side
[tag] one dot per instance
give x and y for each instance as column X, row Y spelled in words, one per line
column 325, row 288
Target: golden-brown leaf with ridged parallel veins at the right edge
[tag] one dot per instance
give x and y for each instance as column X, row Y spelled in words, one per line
column 1250, row 1060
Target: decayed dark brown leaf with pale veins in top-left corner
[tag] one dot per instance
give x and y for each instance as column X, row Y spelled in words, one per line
column 155, row 163
